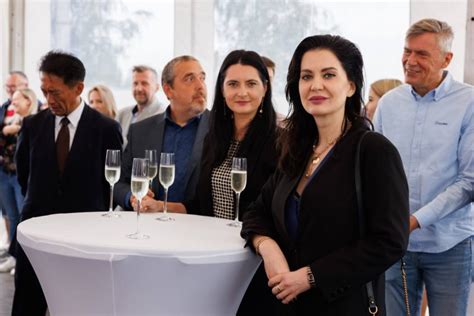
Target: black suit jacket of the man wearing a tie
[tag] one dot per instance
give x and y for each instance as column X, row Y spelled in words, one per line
column 83, row 186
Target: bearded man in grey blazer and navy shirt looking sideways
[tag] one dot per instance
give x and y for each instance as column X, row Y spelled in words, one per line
column 179, row 130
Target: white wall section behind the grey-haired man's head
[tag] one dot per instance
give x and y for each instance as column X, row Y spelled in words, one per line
column 454, row 12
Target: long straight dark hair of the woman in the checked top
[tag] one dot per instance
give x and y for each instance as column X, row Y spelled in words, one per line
column 221, row 129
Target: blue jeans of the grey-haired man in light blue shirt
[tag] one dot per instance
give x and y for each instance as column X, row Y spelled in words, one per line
column 446, row 276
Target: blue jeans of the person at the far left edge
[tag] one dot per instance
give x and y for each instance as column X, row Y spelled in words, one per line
column 12, row 199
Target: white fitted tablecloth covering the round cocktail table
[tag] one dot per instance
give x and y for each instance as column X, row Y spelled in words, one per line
column 192, row 266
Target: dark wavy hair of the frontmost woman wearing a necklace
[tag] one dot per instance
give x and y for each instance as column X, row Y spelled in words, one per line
column 301, row 130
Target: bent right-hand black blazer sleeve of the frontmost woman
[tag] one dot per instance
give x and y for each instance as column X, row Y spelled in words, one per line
column 385, row 198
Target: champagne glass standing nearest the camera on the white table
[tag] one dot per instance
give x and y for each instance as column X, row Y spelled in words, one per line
column 139, row 185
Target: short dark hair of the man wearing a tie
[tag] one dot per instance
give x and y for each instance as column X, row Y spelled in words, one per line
column 64, row 65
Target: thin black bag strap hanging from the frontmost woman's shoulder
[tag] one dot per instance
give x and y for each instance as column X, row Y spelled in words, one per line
column 373, row 309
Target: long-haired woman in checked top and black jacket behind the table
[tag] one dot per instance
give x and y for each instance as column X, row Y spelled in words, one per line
column 242, row 124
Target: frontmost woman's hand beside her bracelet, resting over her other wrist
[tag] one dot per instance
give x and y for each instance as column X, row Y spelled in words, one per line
column 288, row 285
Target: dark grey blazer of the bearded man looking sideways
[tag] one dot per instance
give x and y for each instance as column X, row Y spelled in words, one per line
column 148, row 134
